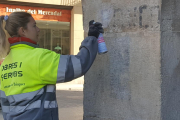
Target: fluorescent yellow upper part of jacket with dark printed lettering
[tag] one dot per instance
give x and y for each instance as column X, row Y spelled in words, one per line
column 25, row 69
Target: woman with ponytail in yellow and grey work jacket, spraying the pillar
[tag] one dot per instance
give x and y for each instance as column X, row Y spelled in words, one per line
column 29, row 74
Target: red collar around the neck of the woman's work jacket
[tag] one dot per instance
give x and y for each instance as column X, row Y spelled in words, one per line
column 22, row 40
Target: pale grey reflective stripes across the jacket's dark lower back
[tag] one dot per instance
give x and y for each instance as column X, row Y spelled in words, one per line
column 15, row 100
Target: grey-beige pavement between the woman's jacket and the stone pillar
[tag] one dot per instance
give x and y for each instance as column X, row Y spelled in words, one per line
column 70, row 105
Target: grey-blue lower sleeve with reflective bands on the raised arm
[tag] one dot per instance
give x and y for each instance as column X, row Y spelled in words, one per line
column 73, row 66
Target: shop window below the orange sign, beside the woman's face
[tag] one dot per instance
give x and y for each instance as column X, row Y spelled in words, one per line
column 54, row 36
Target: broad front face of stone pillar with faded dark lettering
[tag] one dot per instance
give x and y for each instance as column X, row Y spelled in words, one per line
column 124, row 84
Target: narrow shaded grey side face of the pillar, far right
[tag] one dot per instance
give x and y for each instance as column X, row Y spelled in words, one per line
column 170, row 53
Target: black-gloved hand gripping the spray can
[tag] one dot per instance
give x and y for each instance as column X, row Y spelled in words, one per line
column 95, row 29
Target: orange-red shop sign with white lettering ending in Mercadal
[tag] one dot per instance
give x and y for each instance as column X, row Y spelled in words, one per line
column 38, row 13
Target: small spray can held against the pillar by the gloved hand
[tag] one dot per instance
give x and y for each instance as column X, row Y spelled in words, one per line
column 101, row 44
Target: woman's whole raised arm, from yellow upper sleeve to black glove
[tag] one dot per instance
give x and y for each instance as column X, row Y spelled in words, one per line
column 55, row 68
